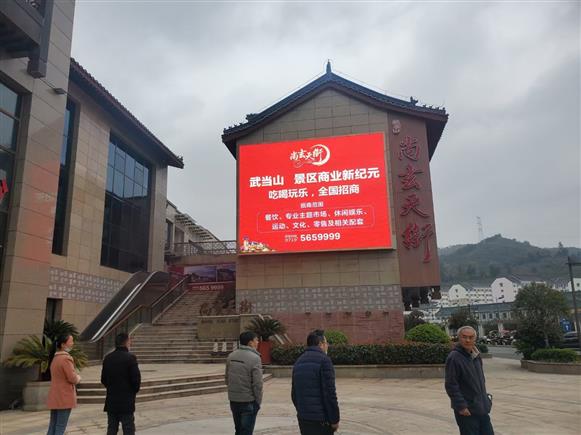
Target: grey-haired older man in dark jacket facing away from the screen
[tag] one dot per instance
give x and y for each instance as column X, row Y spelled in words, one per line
column 465, row 384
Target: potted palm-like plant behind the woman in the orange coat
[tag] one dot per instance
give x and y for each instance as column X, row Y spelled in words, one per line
column 33, row 351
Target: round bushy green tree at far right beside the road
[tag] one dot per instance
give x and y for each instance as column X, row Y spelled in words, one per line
column 537, row 308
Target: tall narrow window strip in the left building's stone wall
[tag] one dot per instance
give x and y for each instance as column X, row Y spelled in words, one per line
column 58, row 235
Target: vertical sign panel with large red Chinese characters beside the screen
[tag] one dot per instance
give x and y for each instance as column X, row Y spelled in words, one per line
column 418, row 256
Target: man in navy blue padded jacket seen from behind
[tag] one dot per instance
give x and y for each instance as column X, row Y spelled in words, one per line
column 313, row 388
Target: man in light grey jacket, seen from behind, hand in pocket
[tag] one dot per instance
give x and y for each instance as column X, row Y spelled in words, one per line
column 244, row 380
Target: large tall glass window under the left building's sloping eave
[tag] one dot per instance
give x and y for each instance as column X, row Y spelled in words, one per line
column 126, row 214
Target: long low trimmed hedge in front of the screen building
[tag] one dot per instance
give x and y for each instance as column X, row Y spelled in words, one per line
column 369, row 354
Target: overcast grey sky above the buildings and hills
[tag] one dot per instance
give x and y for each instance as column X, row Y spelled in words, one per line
column 508, row 75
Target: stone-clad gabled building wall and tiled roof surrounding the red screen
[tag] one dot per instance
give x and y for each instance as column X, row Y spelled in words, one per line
column 345, row 289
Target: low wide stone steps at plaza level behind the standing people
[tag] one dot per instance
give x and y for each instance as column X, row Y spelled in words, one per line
column 169, row 388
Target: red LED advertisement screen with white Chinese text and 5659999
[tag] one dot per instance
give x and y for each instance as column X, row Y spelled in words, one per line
column 321, row 194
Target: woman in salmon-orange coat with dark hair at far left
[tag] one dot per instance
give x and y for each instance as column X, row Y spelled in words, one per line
column 62, row 395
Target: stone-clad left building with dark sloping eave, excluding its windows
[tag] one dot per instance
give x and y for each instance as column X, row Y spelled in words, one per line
column 71, row 283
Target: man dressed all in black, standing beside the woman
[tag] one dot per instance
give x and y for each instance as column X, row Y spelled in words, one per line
column 121, row 376
